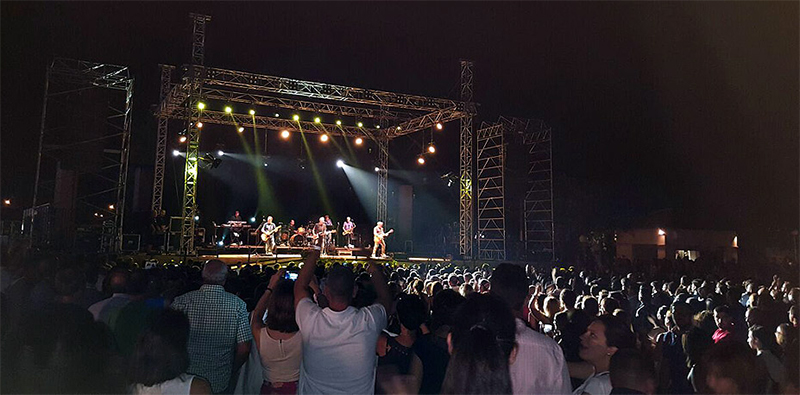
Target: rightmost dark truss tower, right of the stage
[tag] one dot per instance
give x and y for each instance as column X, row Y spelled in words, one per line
column 539, row 232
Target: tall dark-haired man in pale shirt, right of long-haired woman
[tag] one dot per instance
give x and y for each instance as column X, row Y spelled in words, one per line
column 539, row 367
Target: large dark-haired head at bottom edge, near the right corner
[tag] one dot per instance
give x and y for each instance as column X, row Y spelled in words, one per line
column 732, row 368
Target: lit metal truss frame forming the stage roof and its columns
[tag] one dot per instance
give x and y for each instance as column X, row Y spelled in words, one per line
column 396, row 114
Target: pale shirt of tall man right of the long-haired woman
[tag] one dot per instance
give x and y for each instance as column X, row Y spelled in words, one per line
column 540, row 367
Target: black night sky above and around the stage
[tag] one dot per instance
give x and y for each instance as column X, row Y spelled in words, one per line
column 684, row 105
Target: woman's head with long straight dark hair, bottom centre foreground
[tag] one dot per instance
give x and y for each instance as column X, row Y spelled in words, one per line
column 481, row 344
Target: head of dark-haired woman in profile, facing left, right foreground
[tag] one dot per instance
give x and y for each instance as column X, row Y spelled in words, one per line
column 605, row 336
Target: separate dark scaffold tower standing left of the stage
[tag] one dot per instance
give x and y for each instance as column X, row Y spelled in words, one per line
column 83, row 153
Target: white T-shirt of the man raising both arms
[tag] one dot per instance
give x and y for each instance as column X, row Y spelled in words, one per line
column 338, row 348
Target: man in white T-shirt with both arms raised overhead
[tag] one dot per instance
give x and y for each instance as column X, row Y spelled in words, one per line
column 339, row 341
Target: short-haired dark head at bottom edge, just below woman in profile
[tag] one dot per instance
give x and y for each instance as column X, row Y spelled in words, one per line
column 630, row 369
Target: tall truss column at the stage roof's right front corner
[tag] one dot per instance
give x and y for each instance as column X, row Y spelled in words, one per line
column 465, row 208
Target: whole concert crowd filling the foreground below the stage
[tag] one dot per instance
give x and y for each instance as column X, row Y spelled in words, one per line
column 80, row 325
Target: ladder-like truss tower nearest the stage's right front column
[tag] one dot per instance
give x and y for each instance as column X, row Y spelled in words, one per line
column 491, row 192
